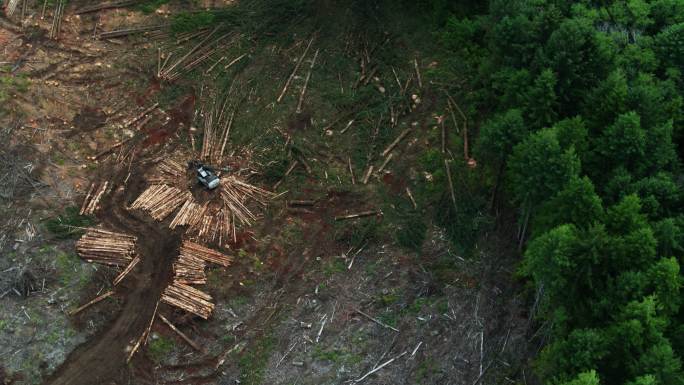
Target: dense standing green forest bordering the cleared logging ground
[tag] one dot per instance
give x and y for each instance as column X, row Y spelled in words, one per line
column 583, row 104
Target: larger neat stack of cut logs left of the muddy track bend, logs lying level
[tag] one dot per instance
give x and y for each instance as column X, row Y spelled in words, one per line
column 106, row 247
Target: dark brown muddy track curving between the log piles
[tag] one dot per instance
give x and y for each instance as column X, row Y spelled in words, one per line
column 102, row 359
